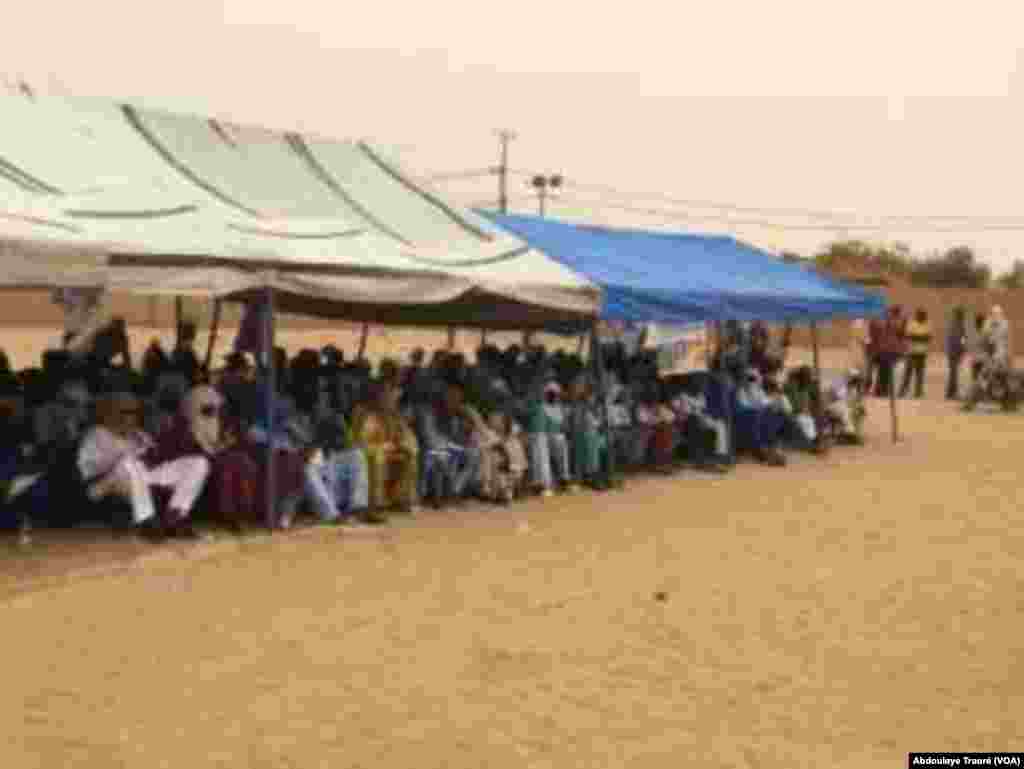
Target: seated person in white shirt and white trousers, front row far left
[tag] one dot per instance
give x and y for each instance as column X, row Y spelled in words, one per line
column 115, row 461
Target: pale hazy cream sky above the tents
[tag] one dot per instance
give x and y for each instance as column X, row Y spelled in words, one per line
column 903, row 108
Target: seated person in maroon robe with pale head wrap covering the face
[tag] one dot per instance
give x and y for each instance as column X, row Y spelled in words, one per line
column 232, row 492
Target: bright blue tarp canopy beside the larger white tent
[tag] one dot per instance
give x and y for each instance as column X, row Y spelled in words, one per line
column 682, row 279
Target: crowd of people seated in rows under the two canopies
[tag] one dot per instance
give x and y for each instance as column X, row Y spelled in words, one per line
column 88, row 438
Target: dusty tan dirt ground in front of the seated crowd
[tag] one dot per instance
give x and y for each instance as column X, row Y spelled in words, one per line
column 840, row 613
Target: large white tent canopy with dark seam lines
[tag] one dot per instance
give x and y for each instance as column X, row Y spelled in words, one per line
column 146, row 202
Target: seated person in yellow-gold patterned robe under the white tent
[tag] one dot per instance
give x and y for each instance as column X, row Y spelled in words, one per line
column 392, row 451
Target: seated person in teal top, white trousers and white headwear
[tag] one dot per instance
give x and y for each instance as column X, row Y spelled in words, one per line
column 548, row 443
